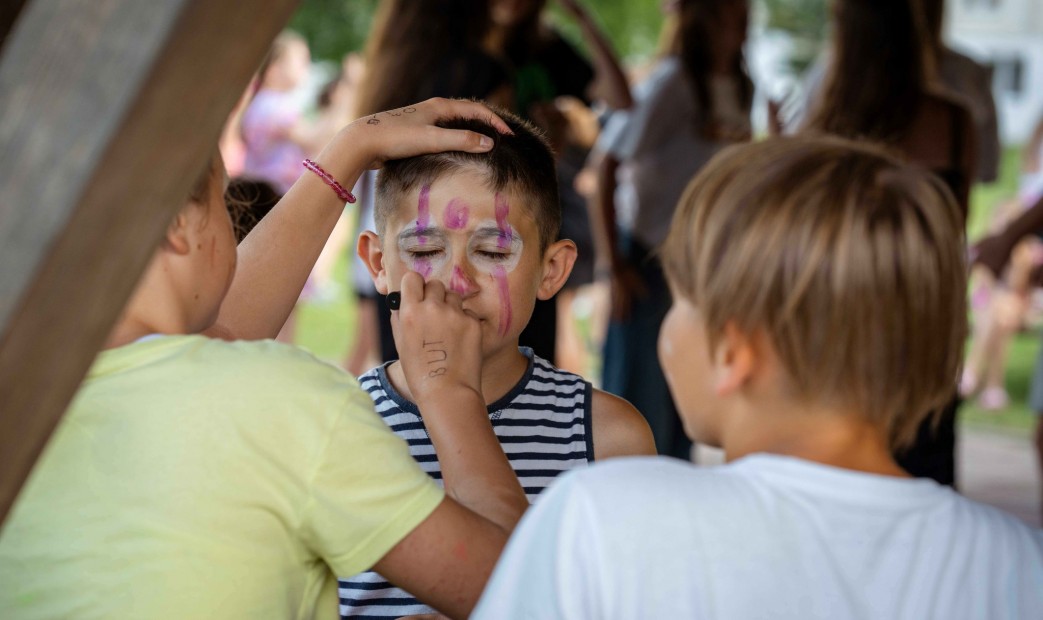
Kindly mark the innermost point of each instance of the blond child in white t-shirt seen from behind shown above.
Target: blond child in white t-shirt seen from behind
(819, 315)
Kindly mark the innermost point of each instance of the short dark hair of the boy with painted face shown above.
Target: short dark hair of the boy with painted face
(522, 163)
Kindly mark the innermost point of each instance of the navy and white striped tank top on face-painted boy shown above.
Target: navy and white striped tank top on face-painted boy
(544, 426)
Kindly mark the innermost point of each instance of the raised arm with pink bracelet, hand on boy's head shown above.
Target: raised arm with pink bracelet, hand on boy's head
(277, 257)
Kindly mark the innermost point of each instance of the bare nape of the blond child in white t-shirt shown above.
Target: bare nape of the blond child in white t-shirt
(836, 439)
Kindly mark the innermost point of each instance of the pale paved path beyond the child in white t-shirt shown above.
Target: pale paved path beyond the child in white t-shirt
(993, 468)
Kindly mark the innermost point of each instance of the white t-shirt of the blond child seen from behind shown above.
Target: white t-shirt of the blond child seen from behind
(766, 537)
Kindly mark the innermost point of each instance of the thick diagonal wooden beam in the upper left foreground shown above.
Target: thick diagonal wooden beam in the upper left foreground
(108, 112)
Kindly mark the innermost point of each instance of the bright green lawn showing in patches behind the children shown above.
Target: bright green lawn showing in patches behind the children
(328, 329)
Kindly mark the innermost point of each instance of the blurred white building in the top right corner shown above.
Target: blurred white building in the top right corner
(1007, 35)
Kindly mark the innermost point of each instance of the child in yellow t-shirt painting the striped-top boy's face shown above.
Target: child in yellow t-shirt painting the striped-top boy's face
(193, 478)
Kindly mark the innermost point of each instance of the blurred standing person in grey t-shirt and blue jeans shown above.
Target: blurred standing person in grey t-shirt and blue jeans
(696, 102)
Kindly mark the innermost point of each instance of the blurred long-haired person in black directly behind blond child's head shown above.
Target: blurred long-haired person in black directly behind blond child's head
(882, 87)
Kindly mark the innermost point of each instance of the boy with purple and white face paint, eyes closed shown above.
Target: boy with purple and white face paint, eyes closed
(488, 228)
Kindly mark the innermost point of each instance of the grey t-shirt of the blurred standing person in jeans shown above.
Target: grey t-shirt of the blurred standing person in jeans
(660, 149)
